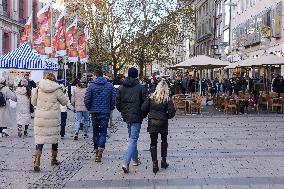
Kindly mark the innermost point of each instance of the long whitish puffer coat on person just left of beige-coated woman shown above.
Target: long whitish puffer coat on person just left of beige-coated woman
(23, 114)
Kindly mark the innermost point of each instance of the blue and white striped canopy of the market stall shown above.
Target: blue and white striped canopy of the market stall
(25, 58)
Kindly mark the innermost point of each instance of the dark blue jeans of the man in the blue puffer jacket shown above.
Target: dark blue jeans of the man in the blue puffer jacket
(100, 125)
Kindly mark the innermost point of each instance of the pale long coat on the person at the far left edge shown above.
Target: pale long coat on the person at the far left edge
(6, 119)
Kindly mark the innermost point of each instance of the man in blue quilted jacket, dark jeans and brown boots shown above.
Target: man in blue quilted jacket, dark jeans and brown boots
(100, 100)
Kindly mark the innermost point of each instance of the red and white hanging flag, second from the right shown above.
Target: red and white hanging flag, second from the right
(72, 41)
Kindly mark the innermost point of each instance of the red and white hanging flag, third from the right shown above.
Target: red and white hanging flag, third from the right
(59, 39)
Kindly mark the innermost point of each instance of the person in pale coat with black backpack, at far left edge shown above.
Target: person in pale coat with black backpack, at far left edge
(5, 110)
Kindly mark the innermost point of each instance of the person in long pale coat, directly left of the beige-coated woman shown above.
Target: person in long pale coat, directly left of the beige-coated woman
(23, 114)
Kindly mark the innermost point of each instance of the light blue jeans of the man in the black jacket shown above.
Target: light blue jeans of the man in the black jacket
(132, 151)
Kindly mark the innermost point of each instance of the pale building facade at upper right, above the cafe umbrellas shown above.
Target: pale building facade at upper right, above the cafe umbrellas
(257, 28)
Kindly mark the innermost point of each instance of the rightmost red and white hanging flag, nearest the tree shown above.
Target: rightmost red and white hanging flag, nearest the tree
(82, 46)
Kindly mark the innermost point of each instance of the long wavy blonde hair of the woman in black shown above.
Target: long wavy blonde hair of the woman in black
(161, 93)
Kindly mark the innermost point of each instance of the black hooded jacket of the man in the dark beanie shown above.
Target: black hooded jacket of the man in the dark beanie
(130, 96)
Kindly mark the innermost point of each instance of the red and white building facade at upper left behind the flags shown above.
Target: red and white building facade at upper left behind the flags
(13, 16)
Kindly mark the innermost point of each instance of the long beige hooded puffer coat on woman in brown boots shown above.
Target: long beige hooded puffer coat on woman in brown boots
(47, 99)
